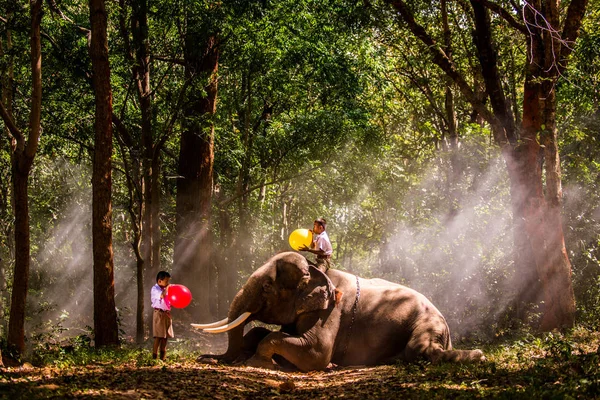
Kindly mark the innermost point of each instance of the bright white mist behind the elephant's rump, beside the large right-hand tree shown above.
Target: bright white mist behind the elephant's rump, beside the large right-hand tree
(460, 260)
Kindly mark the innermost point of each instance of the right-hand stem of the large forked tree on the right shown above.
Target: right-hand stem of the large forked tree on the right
(543, 221)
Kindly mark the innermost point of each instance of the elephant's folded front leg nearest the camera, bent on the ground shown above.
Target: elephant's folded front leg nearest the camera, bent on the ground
(300, 351)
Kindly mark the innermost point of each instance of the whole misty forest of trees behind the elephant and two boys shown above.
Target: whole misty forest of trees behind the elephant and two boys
(448, 149)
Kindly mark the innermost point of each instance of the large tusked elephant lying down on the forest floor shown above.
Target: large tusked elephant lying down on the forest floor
(331, 318)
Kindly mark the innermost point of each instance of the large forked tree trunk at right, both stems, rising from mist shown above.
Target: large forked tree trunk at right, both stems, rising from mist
(541, 251)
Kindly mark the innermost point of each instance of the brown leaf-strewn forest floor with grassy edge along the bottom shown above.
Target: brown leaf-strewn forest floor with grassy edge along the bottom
(540, 368)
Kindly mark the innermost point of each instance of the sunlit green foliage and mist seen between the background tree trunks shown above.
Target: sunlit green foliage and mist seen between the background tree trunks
(325, 109)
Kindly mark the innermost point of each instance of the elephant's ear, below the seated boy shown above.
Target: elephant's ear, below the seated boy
(316, 293)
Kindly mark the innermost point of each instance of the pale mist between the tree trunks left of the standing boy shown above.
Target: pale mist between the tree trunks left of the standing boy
(61, 296)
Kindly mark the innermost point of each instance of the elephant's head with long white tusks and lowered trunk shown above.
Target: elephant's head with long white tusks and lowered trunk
(283, 289)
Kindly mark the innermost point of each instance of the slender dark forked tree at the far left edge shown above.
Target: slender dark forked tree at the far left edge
(23, 154)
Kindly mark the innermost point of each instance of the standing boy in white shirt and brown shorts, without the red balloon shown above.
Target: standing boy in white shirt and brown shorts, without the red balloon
(162, 324)
